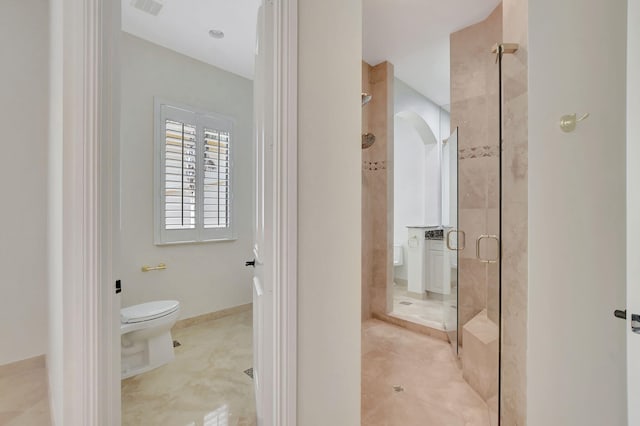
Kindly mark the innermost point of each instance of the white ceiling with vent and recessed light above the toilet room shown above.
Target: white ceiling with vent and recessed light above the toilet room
(183, 26)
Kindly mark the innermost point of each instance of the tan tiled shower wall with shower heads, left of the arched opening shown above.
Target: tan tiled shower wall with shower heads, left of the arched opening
(377, 191)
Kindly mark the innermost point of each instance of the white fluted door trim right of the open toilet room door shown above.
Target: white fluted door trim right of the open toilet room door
(286, 213)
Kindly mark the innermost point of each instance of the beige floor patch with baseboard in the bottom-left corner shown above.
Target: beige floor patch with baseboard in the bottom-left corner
(24, 398)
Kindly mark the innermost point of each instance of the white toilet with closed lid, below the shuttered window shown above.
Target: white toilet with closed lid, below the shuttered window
(145, 332)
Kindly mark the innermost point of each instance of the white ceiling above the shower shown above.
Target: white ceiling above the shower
(414, 36)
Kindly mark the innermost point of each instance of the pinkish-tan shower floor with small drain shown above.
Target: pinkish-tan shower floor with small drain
(430, 389)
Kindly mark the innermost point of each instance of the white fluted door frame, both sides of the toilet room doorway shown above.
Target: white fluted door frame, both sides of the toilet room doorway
(91, 131)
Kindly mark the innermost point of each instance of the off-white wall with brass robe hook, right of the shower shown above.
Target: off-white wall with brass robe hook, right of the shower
(576, 349)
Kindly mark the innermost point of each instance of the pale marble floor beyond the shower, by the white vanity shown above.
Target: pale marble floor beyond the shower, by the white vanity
(429, 312)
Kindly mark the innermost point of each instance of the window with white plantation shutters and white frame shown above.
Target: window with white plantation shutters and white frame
(193, 179)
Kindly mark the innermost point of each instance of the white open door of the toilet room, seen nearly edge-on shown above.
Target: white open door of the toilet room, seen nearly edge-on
(263, 228)
